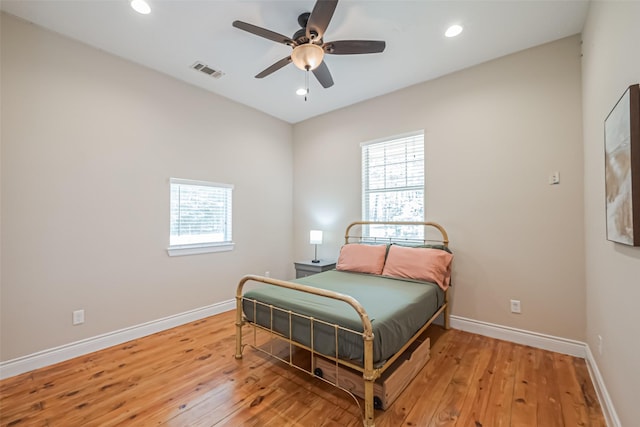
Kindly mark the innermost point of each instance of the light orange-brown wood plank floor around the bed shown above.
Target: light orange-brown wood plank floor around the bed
(188, 376)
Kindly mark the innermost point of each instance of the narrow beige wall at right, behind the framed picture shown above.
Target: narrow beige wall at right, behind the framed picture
(610, 64)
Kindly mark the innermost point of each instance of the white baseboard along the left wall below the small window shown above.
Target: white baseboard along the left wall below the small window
(51, 356)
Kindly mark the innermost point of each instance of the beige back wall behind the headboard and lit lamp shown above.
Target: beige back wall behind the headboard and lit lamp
(493, 133)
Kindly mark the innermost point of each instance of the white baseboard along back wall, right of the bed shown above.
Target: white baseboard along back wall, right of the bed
(520, 336)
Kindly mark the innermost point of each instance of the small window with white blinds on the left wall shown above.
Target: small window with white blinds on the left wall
(200, 217)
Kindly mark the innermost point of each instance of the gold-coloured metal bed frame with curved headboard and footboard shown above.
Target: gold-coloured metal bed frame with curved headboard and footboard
(369, 373)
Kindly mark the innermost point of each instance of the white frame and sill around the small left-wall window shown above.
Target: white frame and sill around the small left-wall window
(203, 247)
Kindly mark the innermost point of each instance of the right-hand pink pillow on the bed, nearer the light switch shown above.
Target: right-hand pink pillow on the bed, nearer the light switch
(426, 264)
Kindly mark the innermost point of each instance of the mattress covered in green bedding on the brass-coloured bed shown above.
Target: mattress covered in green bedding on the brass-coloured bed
(397, 309)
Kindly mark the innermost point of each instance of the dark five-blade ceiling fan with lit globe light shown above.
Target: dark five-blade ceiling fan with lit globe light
(308, 45)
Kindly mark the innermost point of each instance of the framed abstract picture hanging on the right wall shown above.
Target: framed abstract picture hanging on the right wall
(622, 169)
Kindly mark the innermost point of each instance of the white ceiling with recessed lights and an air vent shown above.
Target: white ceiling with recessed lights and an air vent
(178, 33)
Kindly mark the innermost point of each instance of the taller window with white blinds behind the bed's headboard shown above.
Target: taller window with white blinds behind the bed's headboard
(393, 182)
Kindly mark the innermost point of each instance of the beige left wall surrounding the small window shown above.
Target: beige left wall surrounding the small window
(89, 142)
